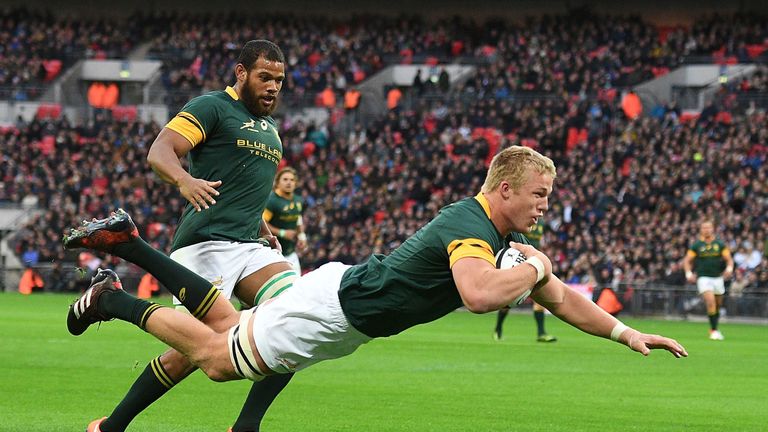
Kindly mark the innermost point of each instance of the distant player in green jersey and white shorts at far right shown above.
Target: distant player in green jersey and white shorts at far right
(707, 262)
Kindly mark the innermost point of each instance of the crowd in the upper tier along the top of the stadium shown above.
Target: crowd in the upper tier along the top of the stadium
(573, 53)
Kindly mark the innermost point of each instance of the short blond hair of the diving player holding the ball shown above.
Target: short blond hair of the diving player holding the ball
(511, 165)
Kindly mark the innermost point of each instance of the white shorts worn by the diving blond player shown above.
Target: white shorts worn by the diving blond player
(305, 324)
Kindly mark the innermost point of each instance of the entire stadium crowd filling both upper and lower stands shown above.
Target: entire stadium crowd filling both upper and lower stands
(629, 191)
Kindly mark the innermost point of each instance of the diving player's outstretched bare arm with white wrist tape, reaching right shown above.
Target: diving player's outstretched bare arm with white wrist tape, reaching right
(573, 308)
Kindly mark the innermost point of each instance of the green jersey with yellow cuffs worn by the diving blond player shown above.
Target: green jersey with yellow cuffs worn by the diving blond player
(414, 285)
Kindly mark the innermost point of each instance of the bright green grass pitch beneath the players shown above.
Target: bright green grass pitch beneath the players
(445, 376)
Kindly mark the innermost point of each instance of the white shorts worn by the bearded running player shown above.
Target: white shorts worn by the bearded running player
(225, 263)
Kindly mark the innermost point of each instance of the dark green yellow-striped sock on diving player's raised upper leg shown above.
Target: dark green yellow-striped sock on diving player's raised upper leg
(194, 292)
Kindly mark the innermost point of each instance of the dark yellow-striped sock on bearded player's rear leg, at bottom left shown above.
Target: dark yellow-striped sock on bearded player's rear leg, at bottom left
(150, 386)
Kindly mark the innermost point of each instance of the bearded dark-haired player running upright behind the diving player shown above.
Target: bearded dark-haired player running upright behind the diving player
(234, 149)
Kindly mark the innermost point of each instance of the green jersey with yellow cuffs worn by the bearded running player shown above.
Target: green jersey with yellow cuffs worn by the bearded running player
(232, 145)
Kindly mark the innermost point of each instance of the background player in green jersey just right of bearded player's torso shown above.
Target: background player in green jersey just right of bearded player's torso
(283, 216)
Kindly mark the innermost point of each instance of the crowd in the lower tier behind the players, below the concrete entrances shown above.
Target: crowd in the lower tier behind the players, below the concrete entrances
(626, 205)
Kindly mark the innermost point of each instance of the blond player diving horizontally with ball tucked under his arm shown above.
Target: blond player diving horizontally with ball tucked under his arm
(334, 309)
